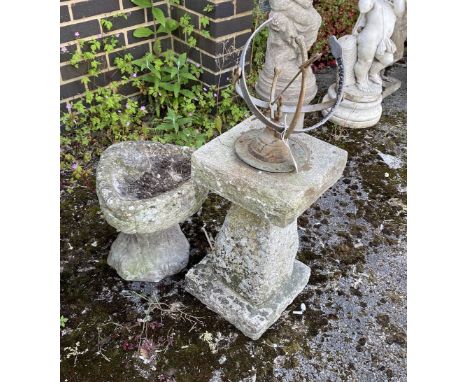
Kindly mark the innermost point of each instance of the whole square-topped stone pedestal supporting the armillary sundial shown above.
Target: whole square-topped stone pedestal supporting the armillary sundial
(251, 276)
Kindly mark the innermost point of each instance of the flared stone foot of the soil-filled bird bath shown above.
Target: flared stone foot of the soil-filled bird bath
(150, 256)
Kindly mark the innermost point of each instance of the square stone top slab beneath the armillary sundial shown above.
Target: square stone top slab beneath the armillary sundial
(277, 197)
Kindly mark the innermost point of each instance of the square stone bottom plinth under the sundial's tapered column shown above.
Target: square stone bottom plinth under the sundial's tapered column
(252, 320)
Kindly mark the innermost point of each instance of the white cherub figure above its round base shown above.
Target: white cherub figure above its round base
(375, 49)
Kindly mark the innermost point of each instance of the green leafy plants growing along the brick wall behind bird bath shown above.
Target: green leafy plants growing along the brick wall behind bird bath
(178, 108)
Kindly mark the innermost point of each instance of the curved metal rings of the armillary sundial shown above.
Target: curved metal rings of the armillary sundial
(243, 91)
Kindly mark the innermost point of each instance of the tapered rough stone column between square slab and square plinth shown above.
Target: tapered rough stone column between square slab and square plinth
(254, 257)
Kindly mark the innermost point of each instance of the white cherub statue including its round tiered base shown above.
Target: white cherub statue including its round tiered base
(366, 53)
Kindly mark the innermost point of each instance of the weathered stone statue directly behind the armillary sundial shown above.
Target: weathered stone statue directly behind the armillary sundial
(293, 30)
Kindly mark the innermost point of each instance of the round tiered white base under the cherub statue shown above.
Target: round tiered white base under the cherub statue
(358, 109)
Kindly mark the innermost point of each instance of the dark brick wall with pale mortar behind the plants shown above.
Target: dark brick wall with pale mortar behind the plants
(230, 26)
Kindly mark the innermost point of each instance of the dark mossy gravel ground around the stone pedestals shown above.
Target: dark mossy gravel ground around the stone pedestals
(354, 326)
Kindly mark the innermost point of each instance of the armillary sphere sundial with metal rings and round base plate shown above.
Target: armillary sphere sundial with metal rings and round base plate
(272, 148)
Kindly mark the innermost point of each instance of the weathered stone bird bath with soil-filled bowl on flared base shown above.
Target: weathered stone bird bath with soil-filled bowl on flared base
(145, 190)
